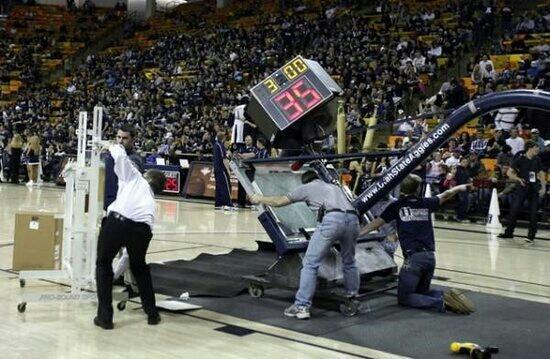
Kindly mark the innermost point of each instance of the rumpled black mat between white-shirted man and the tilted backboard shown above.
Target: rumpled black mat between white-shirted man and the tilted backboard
(210, 275)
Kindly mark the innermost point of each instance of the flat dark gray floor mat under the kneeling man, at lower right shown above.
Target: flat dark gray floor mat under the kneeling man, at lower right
(519, 328)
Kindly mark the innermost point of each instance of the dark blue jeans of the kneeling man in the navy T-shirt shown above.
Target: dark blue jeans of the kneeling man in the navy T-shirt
(413, 289)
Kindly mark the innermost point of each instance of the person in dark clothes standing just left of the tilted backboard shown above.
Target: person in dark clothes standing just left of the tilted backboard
(221, 174)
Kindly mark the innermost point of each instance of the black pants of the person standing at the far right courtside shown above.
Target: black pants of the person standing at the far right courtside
(522, 193)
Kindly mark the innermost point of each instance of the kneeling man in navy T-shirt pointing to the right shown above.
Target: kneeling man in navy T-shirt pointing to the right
(416, 236)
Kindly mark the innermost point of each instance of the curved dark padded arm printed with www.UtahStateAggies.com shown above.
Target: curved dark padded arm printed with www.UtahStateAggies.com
(426, 146)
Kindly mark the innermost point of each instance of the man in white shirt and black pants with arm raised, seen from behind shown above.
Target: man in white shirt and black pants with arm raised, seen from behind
(128, 224)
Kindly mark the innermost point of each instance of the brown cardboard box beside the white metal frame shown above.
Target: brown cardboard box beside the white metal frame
(37, 240)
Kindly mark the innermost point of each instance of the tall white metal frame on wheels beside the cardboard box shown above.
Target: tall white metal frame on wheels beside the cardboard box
(80, 228)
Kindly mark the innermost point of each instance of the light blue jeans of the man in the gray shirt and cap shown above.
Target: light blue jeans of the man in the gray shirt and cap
(336, 227)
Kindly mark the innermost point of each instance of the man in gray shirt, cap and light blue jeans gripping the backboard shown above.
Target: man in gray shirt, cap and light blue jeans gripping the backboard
(340, 224)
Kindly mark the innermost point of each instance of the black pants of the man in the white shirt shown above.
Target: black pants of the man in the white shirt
(135, 236)
